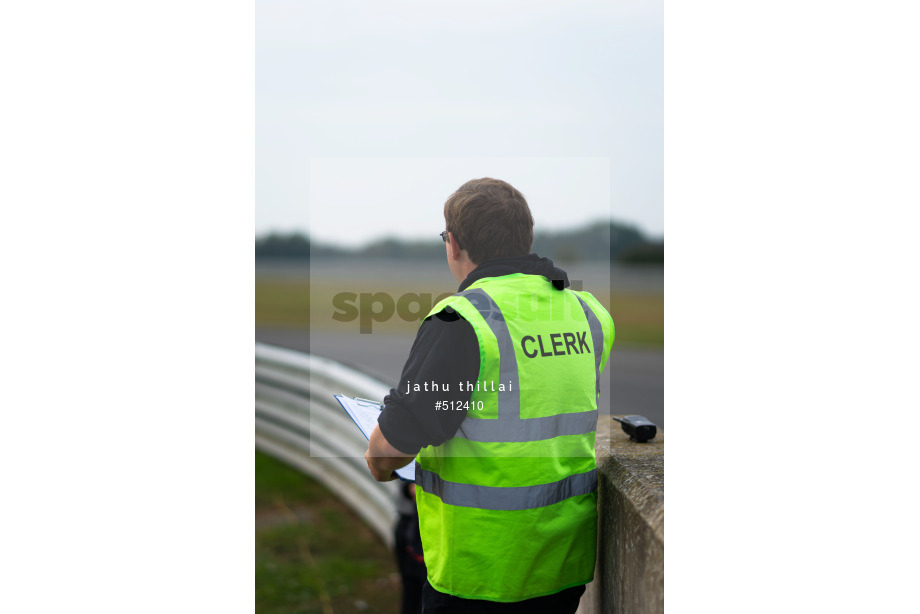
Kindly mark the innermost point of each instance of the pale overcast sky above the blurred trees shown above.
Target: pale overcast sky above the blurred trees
(368, 115)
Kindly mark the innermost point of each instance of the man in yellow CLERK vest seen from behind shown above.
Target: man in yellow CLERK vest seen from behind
(498, 402)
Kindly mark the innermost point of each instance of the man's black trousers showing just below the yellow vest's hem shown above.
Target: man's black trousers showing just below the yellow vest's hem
(563, 602)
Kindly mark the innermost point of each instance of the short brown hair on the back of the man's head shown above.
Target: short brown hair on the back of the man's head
(489, 219)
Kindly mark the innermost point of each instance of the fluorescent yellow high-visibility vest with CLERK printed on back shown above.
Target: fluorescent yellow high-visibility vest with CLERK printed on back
(507, 507)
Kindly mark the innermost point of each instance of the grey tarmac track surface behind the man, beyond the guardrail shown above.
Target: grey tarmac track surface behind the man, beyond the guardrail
(633, 382)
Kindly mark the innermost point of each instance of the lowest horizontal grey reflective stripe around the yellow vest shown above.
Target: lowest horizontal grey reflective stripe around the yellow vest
(505, 497)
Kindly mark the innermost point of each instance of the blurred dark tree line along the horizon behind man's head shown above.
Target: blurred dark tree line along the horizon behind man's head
(598, 241)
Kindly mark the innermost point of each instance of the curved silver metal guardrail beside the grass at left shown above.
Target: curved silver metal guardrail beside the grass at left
(298, 422)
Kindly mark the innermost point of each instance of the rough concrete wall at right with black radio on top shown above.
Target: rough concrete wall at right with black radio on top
(630, 562)
